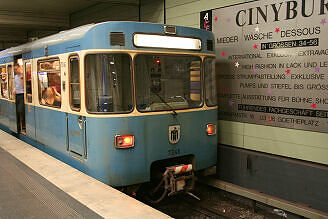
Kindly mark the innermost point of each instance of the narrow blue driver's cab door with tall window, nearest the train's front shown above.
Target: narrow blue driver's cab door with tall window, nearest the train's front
(76, 123)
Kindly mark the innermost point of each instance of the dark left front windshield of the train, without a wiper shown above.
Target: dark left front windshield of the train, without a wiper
(108, 83)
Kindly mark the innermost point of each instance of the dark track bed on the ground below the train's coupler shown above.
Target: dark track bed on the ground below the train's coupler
(213, 204)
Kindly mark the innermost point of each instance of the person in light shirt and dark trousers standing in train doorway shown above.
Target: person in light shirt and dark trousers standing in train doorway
(19, 92)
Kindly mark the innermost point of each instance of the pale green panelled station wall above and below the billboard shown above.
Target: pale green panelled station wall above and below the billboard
(303, 145)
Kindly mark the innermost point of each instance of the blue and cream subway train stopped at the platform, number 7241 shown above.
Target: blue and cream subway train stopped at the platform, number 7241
(118, 100)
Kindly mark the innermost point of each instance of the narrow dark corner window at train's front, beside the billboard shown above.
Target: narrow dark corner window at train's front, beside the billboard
(210, 82)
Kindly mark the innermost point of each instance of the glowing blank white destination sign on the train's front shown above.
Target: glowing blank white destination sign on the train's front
(169, 42)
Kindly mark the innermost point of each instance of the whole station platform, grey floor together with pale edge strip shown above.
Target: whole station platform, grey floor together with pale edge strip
(36, 185)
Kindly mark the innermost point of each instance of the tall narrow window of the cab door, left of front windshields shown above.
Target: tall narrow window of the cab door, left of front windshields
(74, 77)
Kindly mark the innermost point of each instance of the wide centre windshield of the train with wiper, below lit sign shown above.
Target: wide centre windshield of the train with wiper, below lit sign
(167, 82)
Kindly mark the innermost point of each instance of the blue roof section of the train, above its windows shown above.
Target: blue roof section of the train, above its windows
(96, 36)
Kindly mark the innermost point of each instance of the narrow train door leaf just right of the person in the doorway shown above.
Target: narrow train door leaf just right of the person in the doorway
(29, 108)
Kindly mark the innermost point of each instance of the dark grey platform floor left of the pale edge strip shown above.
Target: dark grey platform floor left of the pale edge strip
(26, 194)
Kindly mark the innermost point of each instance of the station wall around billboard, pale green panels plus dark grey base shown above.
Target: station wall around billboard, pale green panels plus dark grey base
(286, 163)
